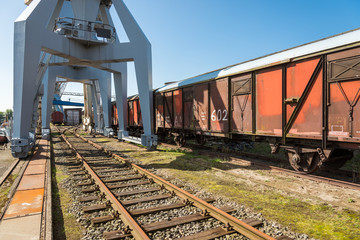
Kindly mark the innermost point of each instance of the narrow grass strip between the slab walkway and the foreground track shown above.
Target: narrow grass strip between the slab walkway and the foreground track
(65, 225)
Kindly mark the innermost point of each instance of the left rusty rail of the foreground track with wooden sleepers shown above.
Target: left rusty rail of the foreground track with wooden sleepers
(136, 230)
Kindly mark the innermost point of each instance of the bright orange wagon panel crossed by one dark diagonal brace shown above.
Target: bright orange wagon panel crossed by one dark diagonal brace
(303, 99)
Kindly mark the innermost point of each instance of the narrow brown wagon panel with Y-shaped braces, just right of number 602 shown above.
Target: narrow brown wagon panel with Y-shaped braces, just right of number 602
(241, 104)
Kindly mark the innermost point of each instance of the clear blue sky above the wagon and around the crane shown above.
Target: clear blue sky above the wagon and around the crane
(192, 37)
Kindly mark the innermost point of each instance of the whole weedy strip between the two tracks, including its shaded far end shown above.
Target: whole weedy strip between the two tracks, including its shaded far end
(318, 221)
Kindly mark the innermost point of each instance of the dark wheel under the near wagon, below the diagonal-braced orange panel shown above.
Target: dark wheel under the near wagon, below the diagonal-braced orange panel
(305, 163)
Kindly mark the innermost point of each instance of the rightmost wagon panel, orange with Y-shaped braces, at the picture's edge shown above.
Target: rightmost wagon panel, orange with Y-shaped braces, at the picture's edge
(344, 94)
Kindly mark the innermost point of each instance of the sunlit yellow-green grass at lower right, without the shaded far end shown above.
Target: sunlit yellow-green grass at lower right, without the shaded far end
(318, 221)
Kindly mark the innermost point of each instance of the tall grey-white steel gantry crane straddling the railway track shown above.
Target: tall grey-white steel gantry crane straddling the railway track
(80, 46)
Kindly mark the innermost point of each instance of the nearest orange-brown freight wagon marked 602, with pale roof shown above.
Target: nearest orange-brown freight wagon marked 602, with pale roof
(304, 99)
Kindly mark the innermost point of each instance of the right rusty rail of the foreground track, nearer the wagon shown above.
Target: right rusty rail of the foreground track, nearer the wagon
(231, 223)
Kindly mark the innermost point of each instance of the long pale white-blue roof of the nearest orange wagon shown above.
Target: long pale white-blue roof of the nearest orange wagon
(340, 40)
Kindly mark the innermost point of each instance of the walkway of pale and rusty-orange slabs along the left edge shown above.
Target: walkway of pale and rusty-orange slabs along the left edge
(22, 219)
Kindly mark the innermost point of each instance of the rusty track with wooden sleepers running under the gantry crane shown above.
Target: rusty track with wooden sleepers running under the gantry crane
(112, 182)
